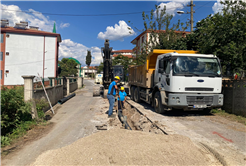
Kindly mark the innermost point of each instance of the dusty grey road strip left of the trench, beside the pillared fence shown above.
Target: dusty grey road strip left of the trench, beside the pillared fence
(73, 121)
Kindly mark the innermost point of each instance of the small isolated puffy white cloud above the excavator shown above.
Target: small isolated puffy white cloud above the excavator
(118, 32)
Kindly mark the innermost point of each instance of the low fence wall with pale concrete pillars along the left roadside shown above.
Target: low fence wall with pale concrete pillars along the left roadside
(59, 87)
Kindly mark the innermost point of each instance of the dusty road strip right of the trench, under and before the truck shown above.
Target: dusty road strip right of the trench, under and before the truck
(226, 137)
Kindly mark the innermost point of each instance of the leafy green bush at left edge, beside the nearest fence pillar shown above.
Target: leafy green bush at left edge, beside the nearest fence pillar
(13, 109)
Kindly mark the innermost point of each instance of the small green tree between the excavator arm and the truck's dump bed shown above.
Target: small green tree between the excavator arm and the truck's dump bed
(124, 61)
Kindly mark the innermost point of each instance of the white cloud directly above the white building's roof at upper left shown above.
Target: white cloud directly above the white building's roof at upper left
(35, 18)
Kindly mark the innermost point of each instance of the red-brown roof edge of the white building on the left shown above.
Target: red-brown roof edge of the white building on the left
(30, 32)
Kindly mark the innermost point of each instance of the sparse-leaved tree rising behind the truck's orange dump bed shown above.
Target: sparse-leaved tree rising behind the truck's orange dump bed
(162, 34)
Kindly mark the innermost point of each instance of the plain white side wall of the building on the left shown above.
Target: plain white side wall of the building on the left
(26, 57)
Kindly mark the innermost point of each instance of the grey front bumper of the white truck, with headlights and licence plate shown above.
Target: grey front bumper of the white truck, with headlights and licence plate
(195, 101)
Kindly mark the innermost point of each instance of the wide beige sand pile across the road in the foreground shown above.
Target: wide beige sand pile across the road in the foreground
(125, 147)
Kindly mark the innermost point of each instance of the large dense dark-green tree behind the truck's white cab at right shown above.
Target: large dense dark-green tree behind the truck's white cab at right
(224, 34)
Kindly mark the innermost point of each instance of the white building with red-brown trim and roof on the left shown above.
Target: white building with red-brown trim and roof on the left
(26, 51)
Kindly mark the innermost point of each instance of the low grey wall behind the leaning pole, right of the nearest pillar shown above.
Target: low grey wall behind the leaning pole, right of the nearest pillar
(55, 93)
